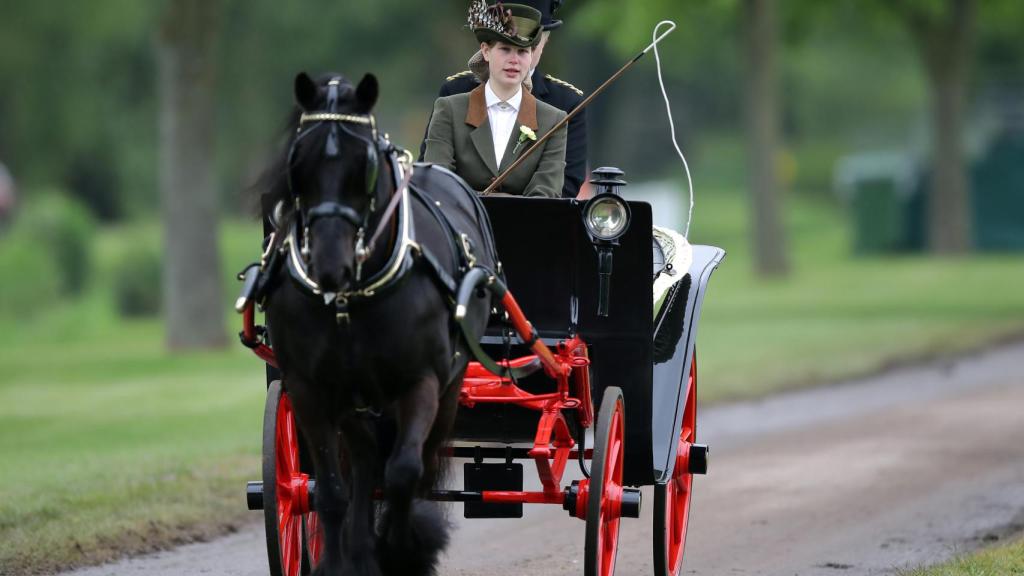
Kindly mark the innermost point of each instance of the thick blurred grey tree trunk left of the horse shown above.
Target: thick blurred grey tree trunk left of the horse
(193, 295)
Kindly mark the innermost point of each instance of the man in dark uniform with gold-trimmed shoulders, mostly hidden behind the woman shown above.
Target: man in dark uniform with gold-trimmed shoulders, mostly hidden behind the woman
(557, 93)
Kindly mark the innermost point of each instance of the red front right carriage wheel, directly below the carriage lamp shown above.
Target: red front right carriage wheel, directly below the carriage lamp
(606, 487)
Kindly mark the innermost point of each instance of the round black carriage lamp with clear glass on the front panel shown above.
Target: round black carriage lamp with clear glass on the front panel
(607, 218)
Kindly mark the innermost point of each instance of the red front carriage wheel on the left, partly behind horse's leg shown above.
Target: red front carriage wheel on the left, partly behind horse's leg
(285, 496)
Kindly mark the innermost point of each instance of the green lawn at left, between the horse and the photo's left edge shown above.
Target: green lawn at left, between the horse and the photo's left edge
(110, 444)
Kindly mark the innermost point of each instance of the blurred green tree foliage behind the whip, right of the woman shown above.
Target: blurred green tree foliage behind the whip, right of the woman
(701, 66)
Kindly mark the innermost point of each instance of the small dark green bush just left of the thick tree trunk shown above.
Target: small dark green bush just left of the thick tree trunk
(138, 282)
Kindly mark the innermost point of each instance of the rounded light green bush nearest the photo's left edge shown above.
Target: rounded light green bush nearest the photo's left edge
(64, 231)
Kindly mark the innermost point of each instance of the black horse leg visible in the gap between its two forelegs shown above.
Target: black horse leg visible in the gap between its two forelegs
(360, 542)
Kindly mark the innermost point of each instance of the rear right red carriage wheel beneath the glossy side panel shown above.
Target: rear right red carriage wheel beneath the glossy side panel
(672, 500)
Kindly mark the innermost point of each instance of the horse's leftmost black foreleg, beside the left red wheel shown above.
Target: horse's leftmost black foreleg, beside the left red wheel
(324, 443)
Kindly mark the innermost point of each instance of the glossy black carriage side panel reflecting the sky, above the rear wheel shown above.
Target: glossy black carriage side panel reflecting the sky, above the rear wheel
(673, 367)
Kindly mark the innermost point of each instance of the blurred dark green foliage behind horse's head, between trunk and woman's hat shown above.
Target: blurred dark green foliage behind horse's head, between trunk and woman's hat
(267, 44)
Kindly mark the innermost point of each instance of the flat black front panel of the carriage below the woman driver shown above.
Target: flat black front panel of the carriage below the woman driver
(551, 269)
